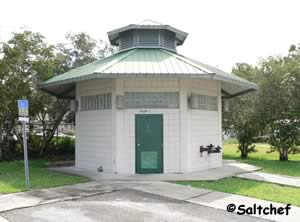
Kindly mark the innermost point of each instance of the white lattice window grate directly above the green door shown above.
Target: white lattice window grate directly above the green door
(136, 100)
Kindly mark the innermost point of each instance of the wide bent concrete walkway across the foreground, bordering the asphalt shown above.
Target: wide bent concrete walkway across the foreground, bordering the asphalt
(201, 197)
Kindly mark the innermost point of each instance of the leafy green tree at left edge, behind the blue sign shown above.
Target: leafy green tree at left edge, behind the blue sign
(23, 56)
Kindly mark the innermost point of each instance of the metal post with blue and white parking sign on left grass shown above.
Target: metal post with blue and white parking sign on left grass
(23, 117)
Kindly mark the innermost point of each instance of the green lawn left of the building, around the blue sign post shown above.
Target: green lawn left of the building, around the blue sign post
(12, 176)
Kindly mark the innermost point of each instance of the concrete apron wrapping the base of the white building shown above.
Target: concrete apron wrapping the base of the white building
(230, 168)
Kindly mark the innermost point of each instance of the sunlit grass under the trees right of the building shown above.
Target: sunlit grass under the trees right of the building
(267, 161)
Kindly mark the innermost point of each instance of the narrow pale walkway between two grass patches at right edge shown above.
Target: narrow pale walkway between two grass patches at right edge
(272, 178)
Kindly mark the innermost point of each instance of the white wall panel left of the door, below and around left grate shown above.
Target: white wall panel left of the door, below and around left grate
(94, 130)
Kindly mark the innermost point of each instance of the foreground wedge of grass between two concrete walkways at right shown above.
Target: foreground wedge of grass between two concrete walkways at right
(260, 190)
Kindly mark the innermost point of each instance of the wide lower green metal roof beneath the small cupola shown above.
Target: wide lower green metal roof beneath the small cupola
(148, 63)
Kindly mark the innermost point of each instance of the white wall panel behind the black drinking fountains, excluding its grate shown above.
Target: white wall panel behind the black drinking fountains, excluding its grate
(205, 128)
